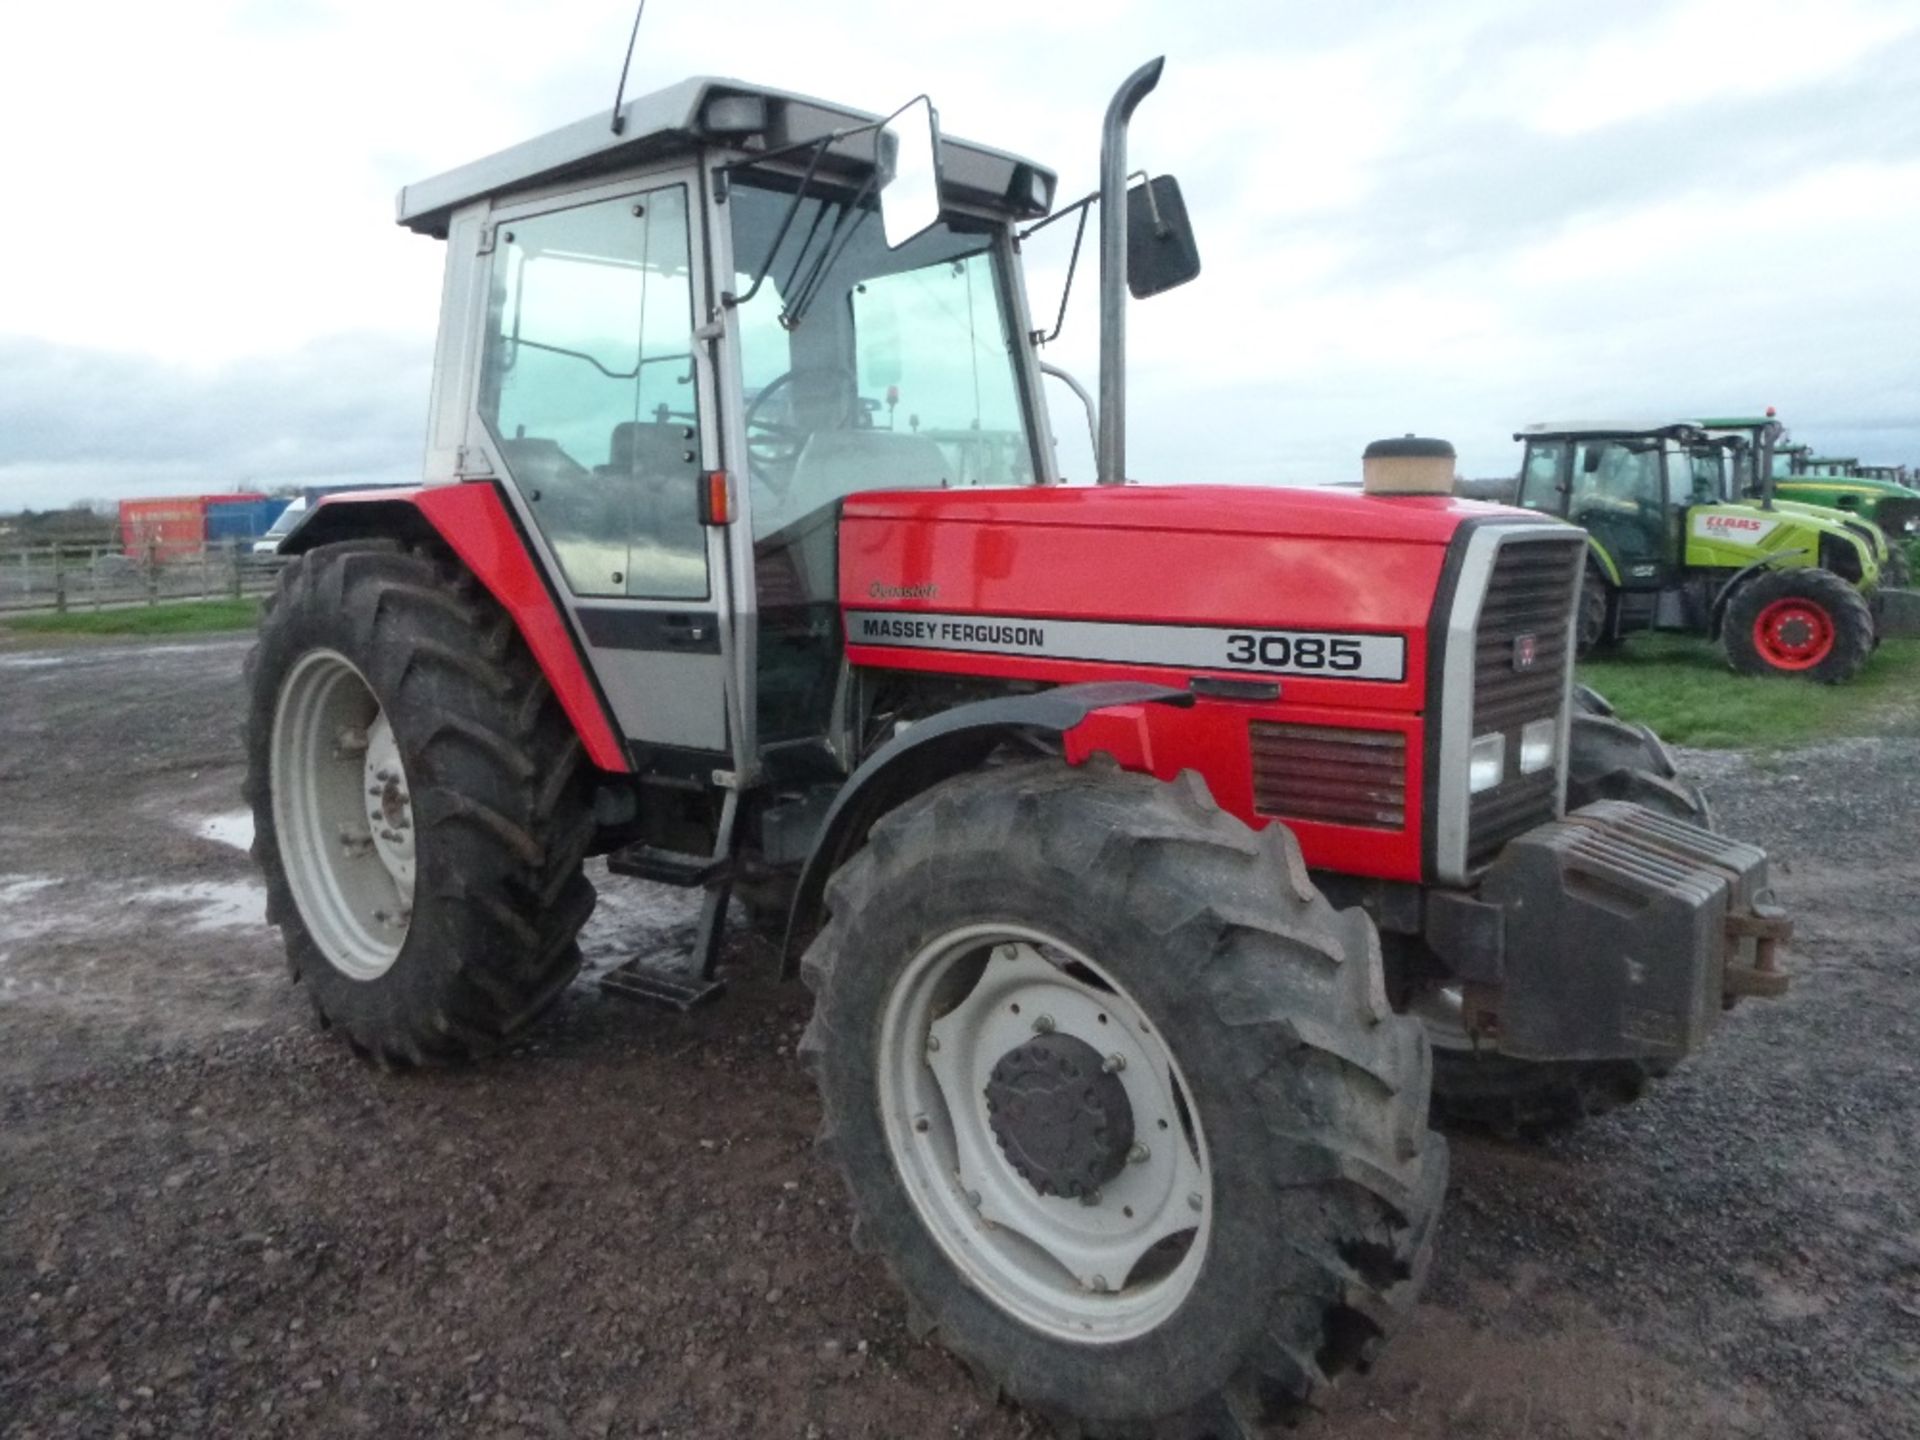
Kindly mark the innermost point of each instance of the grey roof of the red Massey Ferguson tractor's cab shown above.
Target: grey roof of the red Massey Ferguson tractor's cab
(713, 112)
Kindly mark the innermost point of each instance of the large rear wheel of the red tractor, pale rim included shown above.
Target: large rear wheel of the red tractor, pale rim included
(420, 805)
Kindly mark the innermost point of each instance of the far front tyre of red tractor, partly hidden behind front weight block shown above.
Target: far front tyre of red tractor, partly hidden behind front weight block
(1608, 759)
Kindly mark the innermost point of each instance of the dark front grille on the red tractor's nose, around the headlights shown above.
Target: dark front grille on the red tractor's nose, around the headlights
(1527, 610)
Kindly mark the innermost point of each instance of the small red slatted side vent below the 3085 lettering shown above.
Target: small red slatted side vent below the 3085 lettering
(1335, 777)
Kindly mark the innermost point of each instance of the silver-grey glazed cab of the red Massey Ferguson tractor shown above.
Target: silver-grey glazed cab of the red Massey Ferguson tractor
(681, 341)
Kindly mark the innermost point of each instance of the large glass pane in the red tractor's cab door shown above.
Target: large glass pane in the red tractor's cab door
(590, 391)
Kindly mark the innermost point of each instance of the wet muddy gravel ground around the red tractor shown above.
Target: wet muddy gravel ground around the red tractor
(214, 1220)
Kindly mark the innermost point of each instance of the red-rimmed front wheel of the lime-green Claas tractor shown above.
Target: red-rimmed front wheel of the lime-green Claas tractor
(1800, 623)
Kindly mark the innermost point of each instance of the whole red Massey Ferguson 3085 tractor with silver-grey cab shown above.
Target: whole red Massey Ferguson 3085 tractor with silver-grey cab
(744, 562)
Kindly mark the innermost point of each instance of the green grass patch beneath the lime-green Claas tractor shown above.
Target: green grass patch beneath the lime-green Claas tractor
(1683, 688)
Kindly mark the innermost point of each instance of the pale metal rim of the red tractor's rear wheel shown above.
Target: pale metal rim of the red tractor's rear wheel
(345, 815)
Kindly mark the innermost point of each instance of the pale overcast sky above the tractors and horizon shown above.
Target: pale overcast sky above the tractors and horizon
(1449, 218)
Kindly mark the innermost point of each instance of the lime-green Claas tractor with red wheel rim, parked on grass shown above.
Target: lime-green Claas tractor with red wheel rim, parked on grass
(1787, 592)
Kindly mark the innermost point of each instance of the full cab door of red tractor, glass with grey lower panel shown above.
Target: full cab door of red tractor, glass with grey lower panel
(598, 402)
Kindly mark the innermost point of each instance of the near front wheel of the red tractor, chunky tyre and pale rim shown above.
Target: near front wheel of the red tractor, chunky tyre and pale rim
(1120, 1099)
